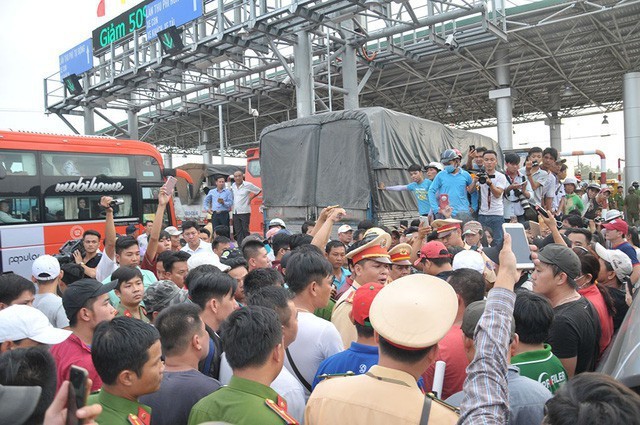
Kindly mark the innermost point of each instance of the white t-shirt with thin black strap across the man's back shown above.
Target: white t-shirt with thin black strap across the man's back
(317, 339)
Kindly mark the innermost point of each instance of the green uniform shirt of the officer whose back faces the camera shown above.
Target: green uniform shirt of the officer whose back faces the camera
(242, 402)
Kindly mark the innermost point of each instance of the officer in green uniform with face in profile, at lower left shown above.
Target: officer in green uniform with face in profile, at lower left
(127, 355)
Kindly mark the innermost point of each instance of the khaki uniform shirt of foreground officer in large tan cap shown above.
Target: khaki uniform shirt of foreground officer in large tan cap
(390, 397)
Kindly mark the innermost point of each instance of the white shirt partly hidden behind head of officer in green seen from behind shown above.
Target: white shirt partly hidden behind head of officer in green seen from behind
(285, 384)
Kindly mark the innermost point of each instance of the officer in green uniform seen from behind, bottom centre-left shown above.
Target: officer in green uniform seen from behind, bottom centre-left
(248, 399)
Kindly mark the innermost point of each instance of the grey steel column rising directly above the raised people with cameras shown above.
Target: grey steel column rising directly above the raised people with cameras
(504, 103)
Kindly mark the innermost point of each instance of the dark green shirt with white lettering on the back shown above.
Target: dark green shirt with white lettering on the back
(542, 366)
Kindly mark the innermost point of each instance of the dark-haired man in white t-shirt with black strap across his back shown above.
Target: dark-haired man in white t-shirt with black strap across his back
(309, 276)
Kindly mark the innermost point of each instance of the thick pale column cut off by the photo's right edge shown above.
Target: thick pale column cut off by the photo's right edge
(631, 100)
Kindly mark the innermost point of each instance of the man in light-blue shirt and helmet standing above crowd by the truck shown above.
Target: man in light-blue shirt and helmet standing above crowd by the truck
(454, 182)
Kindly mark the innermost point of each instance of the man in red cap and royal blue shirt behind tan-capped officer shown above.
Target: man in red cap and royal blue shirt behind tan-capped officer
(363, 353)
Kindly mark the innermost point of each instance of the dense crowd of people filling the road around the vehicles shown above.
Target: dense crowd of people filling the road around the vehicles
(428, 321)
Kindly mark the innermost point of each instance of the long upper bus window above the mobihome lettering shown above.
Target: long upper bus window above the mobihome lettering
(59, 164)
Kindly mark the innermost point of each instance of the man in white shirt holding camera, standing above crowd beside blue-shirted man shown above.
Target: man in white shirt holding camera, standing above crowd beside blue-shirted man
(492, 187)
